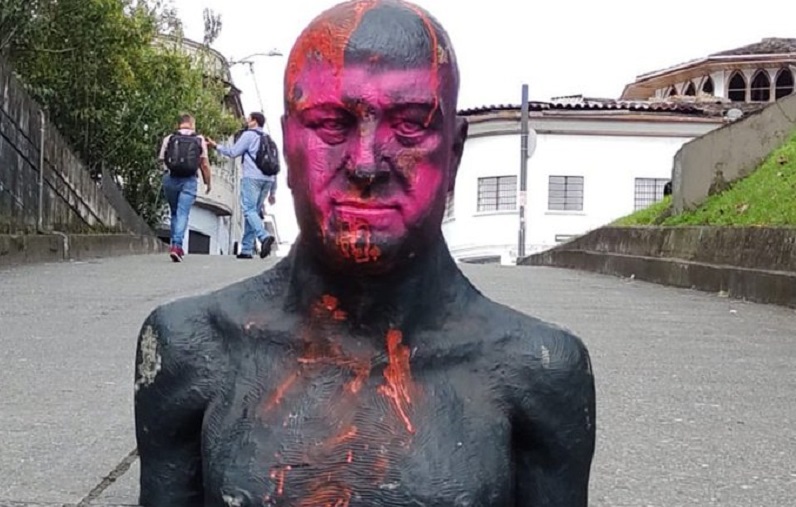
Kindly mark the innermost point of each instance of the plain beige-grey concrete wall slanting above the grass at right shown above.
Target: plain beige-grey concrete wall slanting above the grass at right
(729, 153)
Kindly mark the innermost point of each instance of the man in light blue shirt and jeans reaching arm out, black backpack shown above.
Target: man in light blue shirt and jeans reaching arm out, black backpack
(260, 167)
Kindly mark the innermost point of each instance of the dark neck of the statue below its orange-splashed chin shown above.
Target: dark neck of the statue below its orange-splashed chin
(413, 296)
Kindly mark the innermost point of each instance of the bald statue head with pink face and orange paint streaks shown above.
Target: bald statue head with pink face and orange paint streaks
(371, 136)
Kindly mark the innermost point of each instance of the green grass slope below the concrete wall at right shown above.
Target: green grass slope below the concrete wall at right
(767, 197)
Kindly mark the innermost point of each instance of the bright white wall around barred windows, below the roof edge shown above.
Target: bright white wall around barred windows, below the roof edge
(609, 165)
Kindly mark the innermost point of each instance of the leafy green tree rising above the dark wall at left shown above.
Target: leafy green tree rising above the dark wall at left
(113, 88)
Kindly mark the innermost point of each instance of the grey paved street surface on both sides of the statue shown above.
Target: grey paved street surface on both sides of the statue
(695, 392)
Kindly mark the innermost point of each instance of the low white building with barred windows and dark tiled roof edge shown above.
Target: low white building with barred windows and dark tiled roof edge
(594, 161)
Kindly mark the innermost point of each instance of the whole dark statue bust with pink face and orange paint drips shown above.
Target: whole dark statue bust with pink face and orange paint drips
(363, 369)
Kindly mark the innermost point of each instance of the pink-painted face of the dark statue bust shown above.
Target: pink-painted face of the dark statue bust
(369, 155)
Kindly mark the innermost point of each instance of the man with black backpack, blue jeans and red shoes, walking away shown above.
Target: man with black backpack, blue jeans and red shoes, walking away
(184, 154)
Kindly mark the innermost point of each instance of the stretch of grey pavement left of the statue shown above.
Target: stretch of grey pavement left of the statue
(68, 334)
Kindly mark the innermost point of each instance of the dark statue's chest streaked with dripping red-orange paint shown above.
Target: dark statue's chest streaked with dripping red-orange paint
(342, 433)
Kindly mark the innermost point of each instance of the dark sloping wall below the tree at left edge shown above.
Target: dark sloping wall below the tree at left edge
(72, 201)
